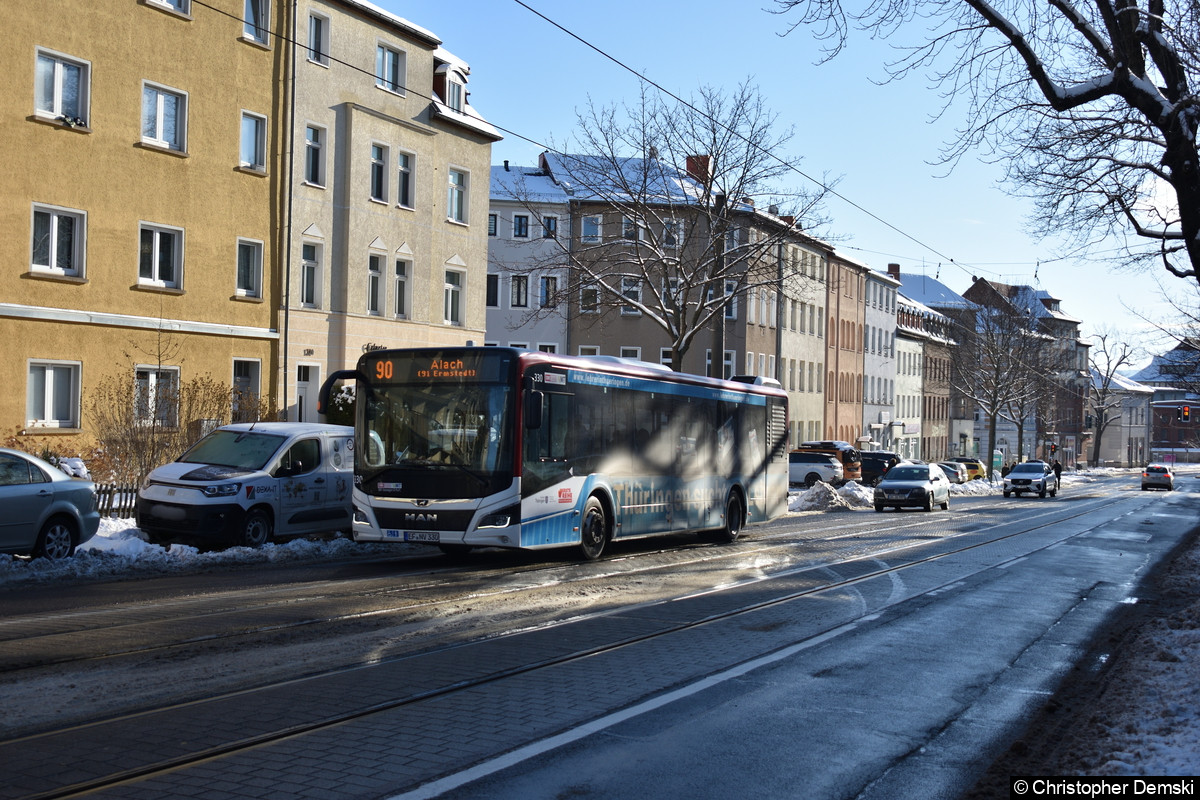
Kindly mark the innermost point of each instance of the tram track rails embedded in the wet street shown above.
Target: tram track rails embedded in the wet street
(980, 539)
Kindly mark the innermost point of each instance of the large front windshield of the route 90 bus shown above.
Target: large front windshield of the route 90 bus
(431, 430)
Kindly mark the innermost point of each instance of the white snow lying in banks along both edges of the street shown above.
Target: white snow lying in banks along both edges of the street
(1151, 719)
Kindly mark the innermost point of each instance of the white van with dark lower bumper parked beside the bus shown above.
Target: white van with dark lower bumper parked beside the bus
(253, 482)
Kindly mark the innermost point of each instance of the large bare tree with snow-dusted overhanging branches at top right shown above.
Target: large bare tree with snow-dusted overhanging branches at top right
(1093, 106)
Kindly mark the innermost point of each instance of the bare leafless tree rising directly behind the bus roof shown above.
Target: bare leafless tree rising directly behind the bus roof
(669, 201)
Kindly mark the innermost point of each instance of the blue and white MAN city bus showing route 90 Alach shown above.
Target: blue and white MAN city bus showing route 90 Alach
(484, 447)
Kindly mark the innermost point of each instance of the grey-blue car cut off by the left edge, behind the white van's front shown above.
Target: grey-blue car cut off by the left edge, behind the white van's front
(47, 514)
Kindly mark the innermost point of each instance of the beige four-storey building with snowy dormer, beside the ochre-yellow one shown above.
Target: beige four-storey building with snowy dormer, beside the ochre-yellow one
(389, 197)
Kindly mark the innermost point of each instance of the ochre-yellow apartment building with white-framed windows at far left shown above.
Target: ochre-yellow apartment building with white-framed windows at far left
(141, 194)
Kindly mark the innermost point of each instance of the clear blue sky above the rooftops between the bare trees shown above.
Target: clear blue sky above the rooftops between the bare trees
(530, 77)
